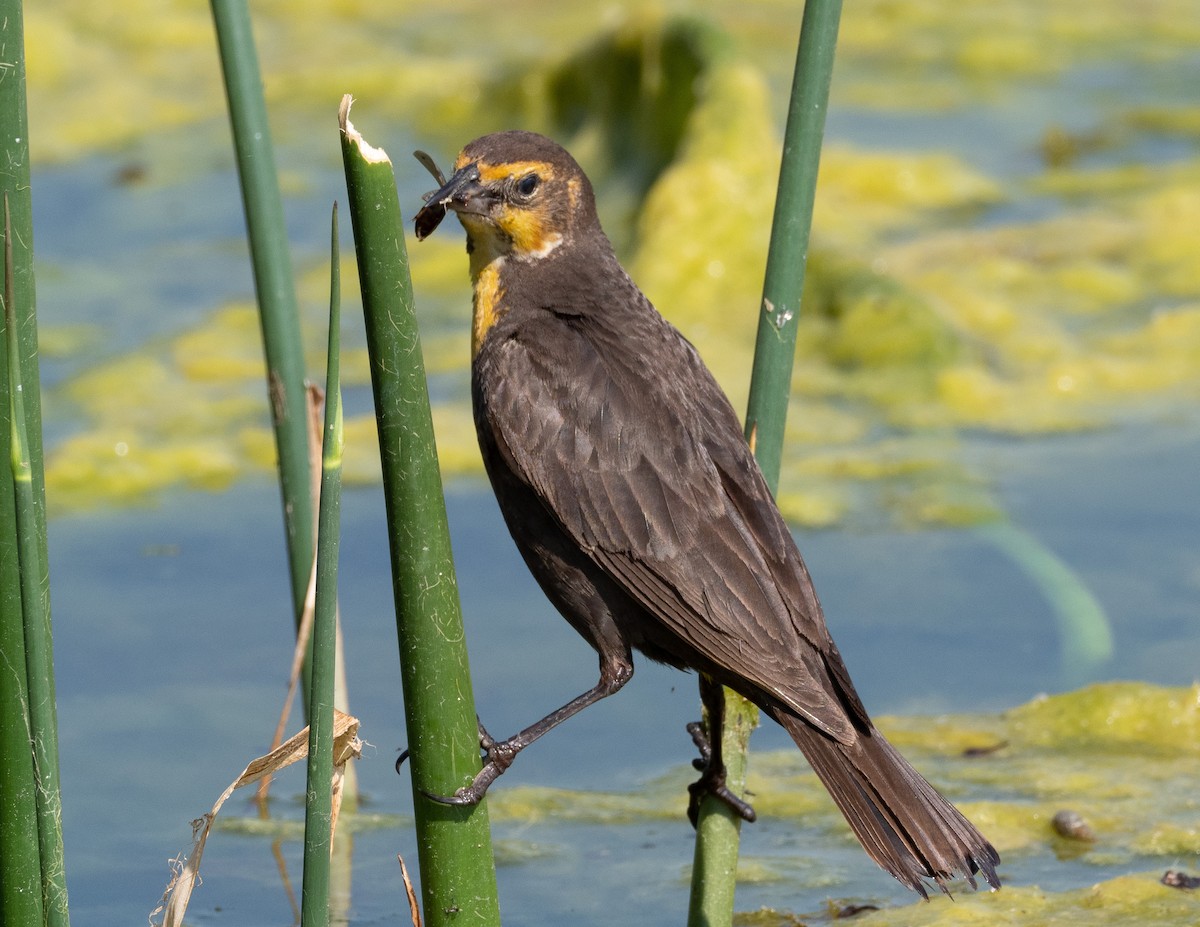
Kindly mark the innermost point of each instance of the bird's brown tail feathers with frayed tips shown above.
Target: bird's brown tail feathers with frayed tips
(903, 822)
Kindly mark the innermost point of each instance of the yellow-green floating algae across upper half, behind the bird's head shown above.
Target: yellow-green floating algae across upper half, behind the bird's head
(944, 302)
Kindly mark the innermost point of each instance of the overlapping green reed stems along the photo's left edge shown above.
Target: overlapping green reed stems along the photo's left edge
(26, 871)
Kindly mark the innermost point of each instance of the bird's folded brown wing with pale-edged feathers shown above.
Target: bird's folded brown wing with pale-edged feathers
(640, 458)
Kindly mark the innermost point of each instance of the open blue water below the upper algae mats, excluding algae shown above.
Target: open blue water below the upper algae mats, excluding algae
(172, 642)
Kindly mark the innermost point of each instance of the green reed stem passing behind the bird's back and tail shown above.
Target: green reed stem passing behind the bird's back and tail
(715, 869)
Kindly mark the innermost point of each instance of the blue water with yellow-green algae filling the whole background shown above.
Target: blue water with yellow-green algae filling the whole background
(991, 457)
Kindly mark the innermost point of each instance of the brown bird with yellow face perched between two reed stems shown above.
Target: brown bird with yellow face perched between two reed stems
(623, 475)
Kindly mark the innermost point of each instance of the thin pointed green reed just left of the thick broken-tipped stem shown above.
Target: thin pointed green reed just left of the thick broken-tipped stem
(319, 805)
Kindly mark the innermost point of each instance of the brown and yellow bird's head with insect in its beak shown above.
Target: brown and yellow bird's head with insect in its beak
(518, 194)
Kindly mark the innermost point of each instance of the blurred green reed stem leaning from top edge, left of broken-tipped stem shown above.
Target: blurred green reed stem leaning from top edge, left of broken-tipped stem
(274, 286)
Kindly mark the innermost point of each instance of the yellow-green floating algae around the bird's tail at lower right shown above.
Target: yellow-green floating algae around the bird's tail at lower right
(1012, 774)
